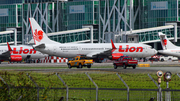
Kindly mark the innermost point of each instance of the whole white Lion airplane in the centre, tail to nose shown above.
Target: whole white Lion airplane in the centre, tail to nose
(90, 50)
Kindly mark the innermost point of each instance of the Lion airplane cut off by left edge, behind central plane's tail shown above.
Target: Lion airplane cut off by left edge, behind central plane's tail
(18, 53)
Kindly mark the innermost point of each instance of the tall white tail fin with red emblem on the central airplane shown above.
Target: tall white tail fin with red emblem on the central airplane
(38, 34)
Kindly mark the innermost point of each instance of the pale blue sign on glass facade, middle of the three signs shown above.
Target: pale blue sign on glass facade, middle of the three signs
(77, 9)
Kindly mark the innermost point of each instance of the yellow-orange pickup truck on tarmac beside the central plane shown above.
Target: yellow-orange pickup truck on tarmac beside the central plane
(79, 62)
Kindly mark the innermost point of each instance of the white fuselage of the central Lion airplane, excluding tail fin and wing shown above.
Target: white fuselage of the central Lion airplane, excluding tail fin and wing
(72, 50)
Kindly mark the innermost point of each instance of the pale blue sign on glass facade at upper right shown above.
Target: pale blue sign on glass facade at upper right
(163, 5)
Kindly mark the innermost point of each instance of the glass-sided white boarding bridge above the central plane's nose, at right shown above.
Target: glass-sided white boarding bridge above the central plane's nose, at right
(149, 35)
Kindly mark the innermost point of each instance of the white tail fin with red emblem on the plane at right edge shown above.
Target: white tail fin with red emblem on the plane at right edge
(165, 43)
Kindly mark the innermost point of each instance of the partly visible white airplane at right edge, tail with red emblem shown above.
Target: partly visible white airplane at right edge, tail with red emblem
(168, 47)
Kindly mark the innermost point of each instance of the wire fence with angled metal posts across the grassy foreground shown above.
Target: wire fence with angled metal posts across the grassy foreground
(85, 86)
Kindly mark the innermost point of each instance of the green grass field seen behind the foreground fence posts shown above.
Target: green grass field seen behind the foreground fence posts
(74, 80)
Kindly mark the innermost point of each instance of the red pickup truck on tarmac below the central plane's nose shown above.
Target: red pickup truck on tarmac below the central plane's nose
(125, 61)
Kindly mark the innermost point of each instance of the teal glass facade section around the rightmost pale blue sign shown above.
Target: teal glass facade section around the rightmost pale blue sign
(153, 14)
